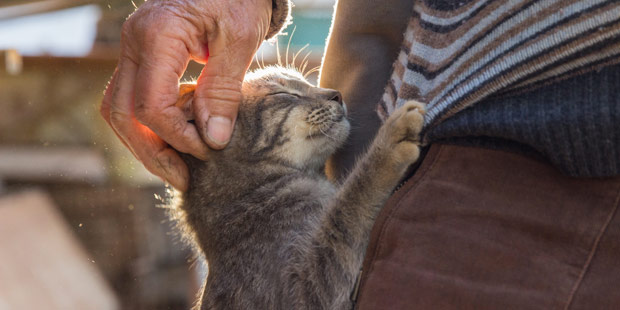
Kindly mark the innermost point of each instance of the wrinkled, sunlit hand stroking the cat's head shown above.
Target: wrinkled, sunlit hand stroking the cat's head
(157, 42)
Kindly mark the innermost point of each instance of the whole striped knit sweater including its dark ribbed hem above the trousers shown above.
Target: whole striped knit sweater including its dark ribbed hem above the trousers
(516, 72)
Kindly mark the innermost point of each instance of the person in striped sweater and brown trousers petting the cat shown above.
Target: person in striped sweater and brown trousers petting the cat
(514, 204)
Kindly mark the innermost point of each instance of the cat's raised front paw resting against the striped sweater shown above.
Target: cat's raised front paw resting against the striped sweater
(401, 132)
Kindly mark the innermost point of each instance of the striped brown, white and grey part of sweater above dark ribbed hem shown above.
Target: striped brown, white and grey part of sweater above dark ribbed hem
(456, 53)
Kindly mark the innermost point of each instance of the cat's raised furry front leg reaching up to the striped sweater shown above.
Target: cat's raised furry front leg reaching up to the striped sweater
(337, 251)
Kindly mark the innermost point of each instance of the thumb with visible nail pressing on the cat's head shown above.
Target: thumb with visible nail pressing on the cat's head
(218, 91)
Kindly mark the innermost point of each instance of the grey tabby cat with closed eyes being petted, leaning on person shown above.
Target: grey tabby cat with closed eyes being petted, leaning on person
(275, 232)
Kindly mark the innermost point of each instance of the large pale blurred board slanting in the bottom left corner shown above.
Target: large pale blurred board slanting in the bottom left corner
(43, 266)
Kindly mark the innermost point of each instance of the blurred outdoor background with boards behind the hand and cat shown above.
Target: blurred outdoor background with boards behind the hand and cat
(81, 221)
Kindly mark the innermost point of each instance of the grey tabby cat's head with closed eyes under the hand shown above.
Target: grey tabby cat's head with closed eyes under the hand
(283, 117)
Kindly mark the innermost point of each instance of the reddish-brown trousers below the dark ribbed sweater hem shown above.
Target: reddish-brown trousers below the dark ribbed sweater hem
(486, 229)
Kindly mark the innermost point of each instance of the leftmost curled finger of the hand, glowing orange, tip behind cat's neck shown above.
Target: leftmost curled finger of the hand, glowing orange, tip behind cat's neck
(153, 152)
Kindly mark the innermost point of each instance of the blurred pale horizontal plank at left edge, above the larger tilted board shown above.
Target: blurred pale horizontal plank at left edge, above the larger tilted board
(71, 164)
